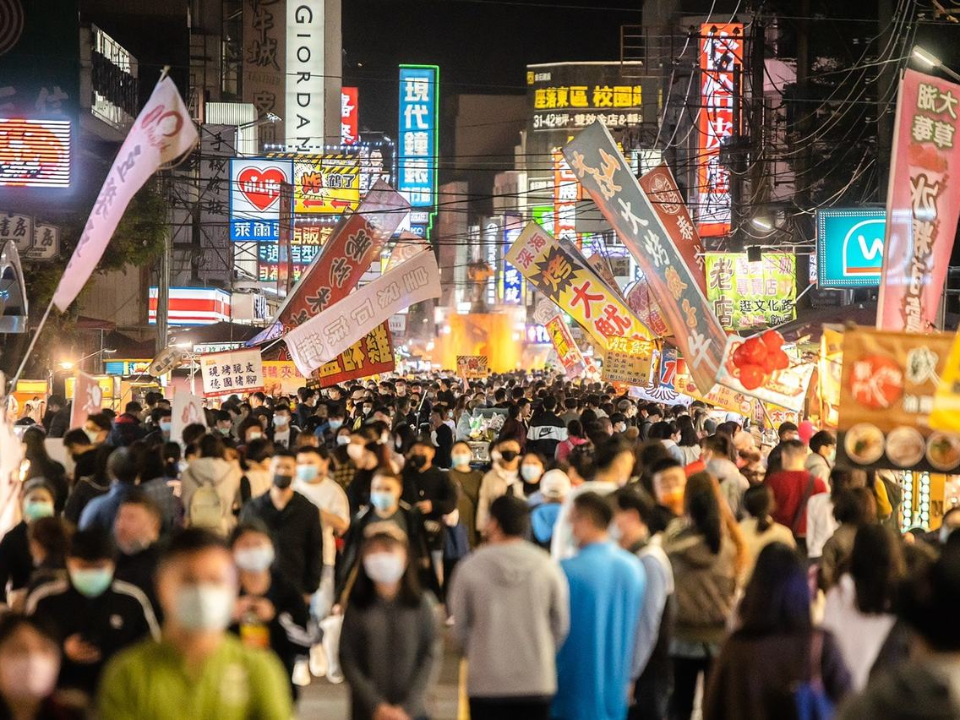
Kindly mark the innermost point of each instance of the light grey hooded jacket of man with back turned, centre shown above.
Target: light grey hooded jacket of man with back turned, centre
(511, 614)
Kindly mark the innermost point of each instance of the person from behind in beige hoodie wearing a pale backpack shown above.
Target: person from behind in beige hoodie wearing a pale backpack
(210, 488)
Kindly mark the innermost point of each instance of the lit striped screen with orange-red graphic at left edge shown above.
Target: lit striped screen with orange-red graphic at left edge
(35, 153)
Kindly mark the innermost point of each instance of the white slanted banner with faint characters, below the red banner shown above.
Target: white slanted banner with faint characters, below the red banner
(324, 336)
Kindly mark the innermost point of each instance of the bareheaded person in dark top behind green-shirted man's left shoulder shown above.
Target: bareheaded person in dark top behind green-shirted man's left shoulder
(136, 532)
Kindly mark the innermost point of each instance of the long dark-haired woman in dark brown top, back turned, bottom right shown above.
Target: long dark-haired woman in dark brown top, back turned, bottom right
(775, 647)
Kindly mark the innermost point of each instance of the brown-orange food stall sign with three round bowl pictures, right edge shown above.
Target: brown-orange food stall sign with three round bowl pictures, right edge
(887, 390)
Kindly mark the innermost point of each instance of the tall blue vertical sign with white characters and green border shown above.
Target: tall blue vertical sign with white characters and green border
(419, 92)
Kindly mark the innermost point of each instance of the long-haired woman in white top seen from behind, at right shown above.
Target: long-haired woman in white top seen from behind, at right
(859, 608)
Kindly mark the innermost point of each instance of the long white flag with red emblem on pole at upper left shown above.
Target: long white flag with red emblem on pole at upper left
(162, 133)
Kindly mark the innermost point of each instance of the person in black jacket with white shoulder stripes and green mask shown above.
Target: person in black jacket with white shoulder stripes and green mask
(95, 615)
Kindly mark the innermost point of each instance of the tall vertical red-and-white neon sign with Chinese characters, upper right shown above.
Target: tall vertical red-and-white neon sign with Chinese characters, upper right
(721, 59)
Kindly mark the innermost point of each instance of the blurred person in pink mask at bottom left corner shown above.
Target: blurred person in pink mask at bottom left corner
(29, 665)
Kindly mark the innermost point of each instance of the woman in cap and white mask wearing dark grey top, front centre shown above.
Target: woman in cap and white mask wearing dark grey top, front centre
(391, 644)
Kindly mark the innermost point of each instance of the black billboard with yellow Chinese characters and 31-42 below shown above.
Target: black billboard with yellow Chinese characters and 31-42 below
(571, 96)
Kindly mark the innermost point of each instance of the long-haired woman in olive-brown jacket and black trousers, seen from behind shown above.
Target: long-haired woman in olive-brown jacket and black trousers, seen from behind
(704, 550)
